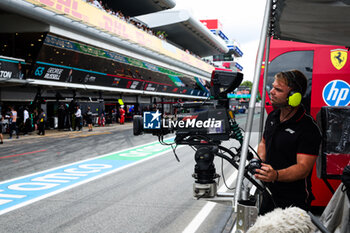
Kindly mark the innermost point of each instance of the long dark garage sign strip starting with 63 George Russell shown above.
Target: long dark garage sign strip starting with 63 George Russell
(52, 72)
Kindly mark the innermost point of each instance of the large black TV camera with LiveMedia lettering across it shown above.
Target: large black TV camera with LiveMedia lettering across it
(204, 128)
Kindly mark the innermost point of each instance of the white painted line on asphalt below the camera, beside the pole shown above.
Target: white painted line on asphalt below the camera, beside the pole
(205, 211)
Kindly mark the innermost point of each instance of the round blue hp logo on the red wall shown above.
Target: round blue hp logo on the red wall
(336, 93)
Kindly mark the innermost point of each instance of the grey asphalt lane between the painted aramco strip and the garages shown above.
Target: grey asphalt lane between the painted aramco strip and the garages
(34, 153)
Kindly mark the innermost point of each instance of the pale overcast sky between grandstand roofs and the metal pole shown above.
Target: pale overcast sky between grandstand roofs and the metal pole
(241, 20)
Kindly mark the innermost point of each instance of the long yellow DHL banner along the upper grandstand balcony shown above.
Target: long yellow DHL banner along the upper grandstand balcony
(92, 16)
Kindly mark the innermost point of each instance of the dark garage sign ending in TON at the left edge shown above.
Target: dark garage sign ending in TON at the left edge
(10, 69)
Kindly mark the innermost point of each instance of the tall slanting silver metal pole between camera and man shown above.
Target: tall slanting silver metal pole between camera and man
(252, 102)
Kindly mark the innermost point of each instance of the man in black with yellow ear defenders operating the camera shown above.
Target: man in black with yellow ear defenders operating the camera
(289, 146)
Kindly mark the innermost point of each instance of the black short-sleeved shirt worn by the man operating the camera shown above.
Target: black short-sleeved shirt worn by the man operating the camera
(284, 141)
